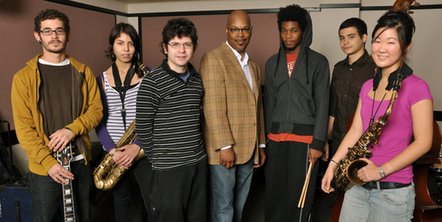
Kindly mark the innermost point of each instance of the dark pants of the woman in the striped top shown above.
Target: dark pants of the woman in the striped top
(122, 194)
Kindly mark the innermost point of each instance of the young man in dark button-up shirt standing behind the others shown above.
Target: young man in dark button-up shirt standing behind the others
(348, 77)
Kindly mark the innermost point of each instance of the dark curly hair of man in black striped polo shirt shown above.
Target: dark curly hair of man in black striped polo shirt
(179, 27)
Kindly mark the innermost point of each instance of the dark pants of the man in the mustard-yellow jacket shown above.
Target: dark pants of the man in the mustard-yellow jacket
(46, 194)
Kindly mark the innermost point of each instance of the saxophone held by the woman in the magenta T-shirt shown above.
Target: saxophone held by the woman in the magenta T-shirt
(346, 174)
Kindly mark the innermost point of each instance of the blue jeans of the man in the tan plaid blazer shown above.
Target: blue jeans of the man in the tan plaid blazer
(229, 189)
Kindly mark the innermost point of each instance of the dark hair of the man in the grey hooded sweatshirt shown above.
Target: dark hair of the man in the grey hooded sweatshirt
(293, 13)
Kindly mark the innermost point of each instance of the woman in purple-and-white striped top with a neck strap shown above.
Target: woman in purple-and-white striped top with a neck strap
(119, 87)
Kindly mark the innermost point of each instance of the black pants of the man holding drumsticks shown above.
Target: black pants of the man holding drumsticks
(285, 172)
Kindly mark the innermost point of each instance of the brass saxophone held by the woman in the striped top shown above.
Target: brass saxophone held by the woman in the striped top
(108, 173)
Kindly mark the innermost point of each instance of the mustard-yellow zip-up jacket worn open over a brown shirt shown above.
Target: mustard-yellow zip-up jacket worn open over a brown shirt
(28, 119)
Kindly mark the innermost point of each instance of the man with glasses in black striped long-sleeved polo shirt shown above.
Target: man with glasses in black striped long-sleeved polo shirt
(168, 127)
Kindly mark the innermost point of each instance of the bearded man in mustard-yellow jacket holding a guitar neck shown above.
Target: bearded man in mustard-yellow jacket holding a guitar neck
(55, 101)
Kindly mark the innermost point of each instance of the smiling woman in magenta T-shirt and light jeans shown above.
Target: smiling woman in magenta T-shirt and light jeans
(389, 192)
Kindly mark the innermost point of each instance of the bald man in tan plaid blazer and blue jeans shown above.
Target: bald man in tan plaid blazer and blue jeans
(234, 127)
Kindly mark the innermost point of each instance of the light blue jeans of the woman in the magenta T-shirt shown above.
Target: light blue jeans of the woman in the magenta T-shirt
(389, 205)
